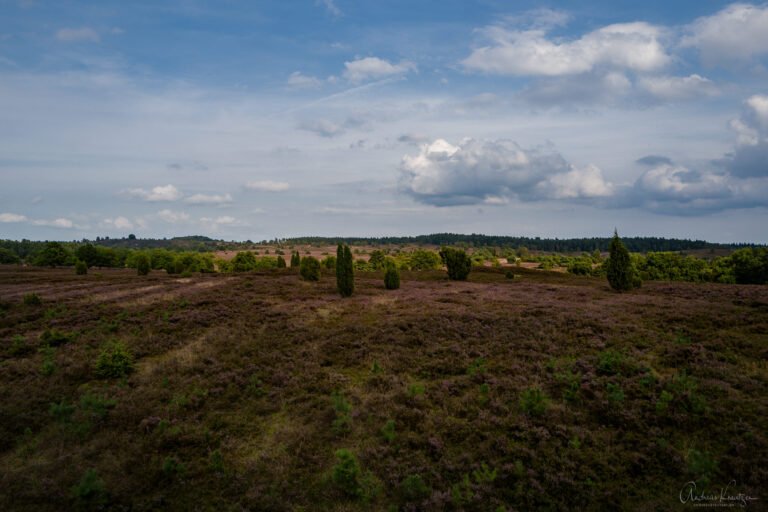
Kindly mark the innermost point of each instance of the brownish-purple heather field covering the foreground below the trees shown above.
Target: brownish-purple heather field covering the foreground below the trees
(548, 391)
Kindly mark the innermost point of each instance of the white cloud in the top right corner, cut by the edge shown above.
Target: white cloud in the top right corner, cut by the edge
(737, 33)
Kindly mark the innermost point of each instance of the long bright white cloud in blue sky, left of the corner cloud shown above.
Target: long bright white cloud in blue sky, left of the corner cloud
(633, 46)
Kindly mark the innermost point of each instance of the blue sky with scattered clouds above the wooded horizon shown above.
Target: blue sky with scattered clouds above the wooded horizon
(258, 120)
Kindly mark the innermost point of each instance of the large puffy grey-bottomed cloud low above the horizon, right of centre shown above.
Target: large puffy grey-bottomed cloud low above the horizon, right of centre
(491, 172)
